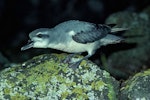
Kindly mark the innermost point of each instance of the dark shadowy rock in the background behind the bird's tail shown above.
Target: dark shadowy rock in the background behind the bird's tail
(135, 51)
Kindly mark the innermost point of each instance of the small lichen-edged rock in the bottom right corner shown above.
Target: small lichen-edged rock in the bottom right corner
(137, 87)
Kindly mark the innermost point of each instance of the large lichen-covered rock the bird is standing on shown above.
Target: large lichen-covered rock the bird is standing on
(46, 77)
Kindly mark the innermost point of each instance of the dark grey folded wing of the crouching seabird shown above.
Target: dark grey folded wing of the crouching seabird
(91, 35)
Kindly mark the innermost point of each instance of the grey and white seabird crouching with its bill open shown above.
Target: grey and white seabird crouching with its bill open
(74, 36)
